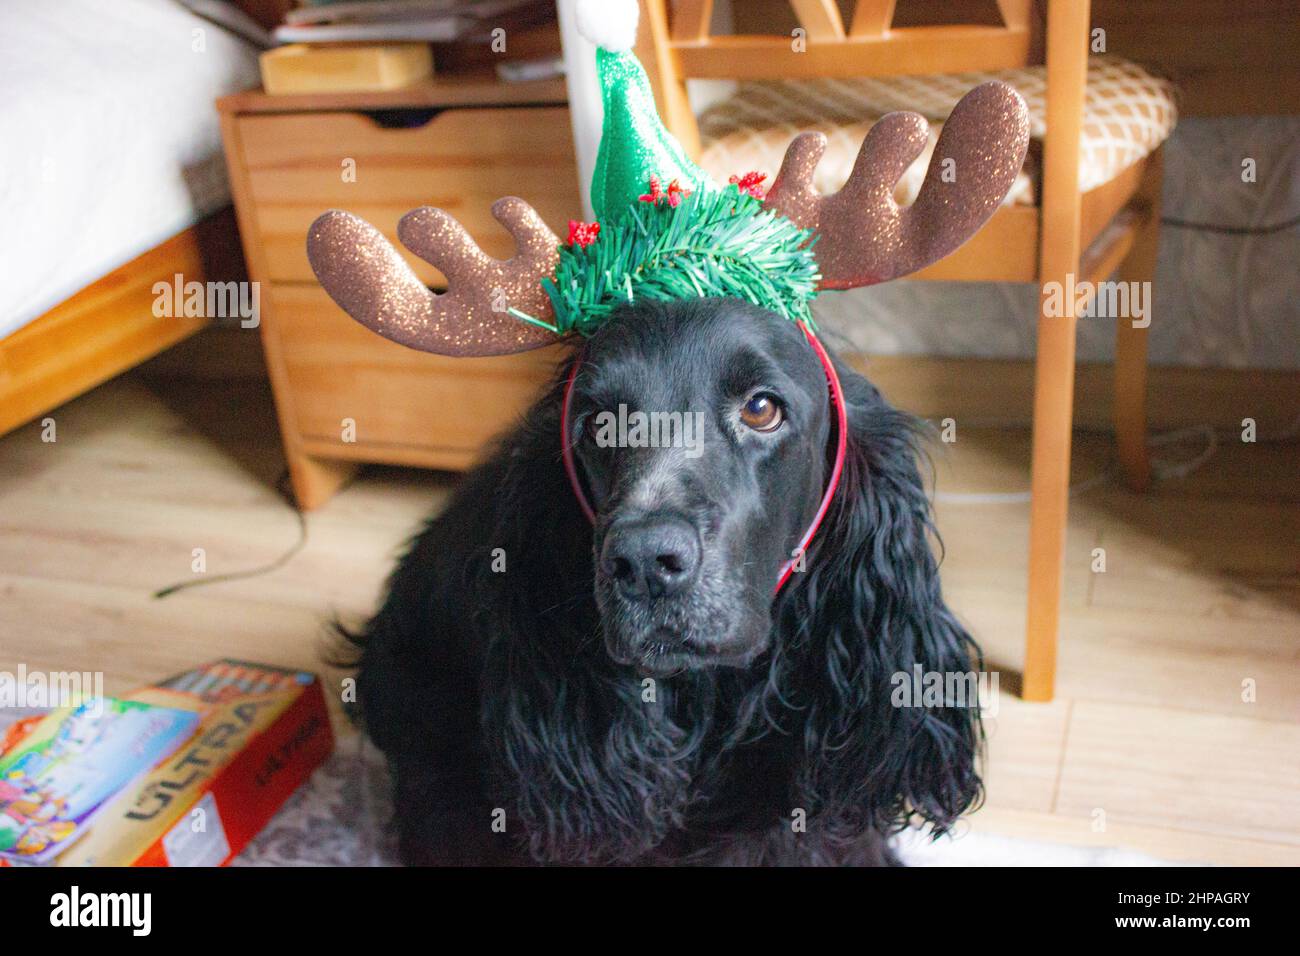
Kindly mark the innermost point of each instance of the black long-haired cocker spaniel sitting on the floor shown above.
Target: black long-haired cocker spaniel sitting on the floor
(549, 690)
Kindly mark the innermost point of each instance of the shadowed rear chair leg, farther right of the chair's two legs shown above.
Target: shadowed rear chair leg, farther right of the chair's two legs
(1139, 266)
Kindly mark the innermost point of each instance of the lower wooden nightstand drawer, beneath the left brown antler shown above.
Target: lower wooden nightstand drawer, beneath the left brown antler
(408, 408)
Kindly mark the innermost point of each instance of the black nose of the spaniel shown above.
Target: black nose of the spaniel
(655, 557)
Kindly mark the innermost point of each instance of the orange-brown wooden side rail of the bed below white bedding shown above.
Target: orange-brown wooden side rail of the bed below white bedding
(110, 326)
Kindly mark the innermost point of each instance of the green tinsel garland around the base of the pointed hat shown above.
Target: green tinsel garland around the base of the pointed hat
(713, 244)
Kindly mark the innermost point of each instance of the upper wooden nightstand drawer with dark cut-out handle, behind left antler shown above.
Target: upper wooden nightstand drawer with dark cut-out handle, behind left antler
(462, 161)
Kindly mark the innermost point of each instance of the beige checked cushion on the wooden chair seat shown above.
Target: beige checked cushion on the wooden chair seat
(1128, 114)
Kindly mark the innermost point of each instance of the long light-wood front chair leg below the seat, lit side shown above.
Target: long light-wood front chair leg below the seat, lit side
(1054, 419)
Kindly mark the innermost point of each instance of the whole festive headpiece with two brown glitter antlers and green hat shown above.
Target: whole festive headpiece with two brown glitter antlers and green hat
(666, 231)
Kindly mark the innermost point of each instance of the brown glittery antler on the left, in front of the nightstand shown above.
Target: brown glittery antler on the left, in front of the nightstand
(371, 282)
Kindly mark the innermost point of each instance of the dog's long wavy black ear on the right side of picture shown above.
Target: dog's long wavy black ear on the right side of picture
(870, 626)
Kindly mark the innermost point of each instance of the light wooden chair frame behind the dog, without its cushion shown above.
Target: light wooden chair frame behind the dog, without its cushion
(1085, 236)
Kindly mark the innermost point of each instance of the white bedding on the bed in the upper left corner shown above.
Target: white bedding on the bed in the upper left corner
(109, 139)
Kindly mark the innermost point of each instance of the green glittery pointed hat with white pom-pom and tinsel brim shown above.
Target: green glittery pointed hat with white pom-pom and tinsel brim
(665, 230)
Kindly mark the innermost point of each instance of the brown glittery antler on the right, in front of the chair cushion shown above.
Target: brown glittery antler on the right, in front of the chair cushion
(864, 236)
